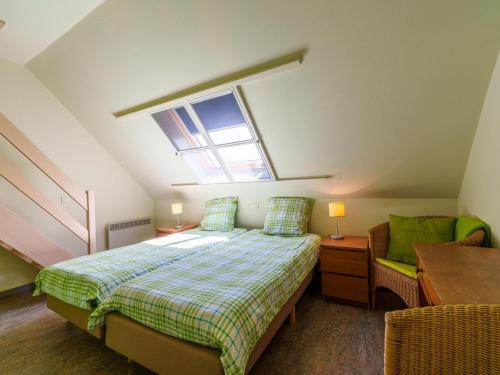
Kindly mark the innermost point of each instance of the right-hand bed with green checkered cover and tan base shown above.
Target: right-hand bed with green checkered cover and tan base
(214, 313)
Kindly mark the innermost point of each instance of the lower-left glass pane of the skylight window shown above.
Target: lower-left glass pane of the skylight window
(206, 167)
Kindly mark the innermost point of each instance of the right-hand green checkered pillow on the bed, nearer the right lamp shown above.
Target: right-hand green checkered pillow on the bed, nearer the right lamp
(288, 216)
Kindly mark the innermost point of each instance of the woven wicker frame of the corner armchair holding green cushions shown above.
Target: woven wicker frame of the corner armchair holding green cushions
(383, 277)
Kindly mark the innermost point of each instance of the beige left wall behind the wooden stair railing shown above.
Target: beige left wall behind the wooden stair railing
(41, 117)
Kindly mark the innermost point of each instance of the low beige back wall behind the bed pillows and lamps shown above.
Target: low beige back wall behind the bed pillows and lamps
(362, 213)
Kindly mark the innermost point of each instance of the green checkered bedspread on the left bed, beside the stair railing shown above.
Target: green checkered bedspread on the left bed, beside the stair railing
(85, 281)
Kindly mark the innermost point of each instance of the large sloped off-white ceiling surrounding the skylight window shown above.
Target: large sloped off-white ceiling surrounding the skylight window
(387, 99)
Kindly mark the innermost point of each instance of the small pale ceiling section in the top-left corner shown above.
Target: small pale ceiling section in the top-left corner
(33, 25)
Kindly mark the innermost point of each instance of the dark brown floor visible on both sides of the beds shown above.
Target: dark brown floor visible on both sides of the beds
(329, 339)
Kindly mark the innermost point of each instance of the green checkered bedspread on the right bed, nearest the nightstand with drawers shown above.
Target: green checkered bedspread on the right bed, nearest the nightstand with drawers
(225, 298)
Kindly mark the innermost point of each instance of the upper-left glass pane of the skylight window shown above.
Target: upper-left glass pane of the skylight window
(179, 128)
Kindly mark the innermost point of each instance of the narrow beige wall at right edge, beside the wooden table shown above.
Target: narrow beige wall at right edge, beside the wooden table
(480, 193)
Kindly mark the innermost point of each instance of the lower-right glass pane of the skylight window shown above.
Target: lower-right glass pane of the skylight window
(245, 162)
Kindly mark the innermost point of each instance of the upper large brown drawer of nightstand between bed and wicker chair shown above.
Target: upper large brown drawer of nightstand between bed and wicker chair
(344, 262)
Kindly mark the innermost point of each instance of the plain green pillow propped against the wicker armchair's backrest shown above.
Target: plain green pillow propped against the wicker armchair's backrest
(406, 230)
